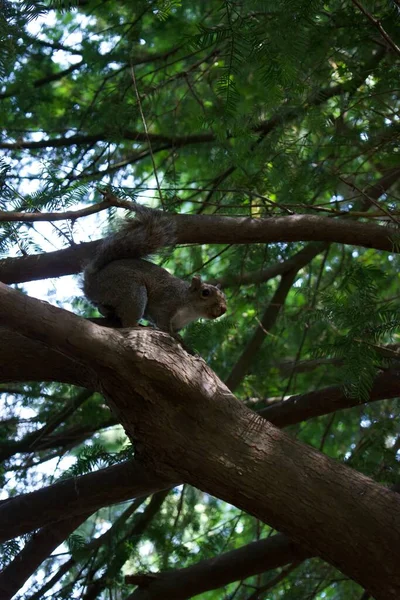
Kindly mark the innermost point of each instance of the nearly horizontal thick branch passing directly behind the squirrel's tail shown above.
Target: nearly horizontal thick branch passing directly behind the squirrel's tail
(207, 229)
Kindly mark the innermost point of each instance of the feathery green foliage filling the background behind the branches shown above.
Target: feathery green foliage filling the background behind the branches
(253, 108)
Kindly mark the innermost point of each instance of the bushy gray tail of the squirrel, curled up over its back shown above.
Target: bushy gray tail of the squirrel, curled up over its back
(136, 238)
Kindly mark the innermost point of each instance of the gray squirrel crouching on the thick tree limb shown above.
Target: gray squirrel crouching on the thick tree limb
(125, 288)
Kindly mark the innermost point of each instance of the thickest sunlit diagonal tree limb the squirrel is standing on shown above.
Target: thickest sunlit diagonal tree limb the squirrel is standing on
(188, 426)
